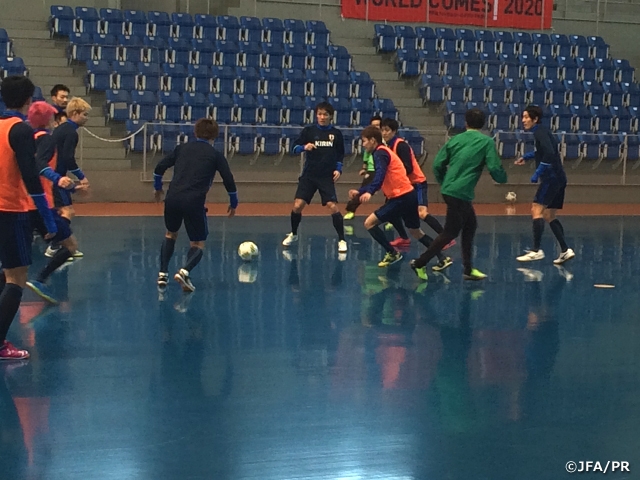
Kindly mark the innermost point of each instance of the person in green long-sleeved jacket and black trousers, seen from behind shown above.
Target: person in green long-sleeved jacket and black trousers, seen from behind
(457, 169)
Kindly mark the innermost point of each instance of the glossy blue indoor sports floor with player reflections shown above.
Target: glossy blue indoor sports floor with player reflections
(313, 368)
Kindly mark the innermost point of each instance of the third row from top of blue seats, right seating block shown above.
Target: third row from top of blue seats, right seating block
(489, 89)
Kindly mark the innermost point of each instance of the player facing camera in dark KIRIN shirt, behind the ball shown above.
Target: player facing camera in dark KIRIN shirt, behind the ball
(323, 146)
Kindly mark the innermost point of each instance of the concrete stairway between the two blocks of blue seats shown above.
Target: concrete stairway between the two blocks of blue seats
(357, 36)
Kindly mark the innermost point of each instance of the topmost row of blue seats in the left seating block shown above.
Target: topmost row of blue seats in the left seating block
(65, 21)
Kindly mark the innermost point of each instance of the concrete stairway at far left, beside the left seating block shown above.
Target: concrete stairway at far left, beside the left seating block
(47, 63)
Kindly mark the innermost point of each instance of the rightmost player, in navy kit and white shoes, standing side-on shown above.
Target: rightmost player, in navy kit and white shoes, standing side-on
(552, 181)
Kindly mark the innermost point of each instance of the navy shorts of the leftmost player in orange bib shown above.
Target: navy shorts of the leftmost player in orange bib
(15, 239)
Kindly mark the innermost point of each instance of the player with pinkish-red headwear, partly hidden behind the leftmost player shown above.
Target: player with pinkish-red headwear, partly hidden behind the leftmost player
(41, 118)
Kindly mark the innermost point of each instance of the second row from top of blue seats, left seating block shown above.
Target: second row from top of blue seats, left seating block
(84, 48)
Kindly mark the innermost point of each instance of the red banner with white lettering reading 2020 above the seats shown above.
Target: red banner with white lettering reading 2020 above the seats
(524, 14)
